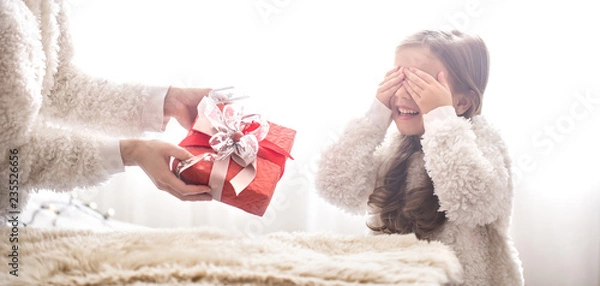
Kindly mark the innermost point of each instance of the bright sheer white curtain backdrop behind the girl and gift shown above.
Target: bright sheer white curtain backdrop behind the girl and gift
(313, 65)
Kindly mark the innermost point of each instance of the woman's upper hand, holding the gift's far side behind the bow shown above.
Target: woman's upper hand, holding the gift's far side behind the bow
(182, 104)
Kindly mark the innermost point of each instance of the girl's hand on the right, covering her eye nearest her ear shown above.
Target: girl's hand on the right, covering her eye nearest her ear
(426, 91)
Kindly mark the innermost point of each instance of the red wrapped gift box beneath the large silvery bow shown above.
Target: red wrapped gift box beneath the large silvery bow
(273, 151)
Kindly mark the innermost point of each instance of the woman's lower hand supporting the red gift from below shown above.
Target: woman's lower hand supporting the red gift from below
(154, 157)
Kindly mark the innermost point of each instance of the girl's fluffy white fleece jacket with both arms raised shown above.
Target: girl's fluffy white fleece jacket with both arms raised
(469, 165)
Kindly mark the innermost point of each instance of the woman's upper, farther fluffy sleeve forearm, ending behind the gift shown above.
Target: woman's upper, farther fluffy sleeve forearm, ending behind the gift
(115, 108)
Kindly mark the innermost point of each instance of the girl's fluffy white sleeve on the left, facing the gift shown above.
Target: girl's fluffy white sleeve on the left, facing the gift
(348, 169)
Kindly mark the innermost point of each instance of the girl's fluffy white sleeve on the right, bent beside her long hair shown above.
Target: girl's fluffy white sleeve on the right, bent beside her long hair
(468, 170)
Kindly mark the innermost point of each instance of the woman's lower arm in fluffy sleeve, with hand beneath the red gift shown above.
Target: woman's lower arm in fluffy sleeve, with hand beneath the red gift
(61, 159)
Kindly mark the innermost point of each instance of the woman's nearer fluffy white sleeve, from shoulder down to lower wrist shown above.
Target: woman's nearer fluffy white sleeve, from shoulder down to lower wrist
(43, 156)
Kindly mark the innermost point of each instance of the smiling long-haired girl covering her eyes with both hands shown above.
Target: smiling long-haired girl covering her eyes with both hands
(445, 175)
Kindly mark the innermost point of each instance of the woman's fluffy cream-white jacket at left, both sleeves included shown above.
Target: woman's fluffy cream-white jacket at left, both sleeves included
(62, 123)
